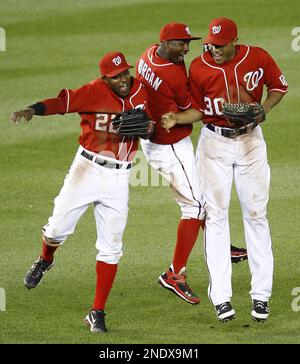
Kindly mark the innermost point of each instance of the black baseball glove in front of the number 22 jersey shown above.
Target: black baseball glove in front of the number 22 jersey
(133, 123)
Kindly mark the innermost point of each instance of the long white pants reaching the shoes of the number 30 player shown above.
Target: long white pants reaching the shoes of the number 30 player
(220, 160)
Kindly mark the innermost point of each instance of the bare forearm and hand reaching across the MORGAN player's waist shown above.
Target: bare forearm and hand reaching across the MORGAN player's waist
(189, 116)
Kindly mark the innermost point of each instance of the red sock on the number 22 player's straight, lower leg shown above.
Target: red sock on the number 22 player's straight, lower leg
(105, 277)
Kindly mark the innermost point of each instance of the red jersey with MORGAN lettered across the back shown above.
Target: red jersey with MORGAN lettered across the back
(167, 88)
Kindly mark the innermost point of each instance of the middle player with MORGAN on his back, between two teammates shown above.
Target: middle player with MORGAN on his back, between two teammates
(162, 70)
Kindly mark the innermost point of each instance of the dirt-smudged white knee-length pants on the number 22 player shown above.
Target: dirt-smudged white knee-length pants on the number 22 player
(107, 189)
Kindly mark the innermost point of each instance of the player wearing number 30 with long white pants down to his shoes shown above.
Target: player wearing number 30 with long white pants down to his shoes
(234, 73)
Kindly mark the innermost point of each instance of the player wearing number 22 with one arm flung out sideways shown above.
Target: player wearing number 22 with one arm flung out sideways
(99, 173)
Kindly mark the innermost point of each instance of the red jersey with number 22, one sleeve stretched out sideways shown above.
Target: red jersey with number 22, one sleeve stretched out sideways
(97, 105)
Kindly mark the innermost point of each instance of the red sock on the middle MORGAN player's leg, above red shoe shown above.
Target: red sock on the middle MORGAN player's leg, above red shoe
(187, 234)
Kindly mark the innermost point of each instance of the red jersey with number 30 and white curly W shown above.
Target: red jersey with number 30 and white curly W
(240, 80)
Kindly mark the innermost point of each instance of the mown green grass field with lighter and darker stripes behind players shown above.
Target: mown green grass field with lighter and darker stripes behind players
(51, 45)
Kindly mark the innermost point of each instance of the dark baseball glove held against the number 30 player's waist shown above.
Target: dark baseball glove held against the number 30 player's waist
(243, 114)
